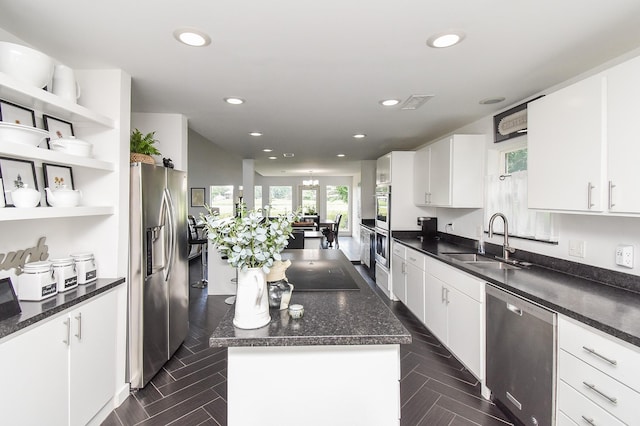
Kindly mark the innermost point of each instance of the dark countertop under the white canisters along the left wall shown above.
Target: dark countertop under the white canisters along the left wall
(33, 312)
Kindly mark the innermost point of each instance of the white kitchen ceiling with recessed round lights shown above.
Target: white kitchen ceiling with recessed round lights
(312, 72)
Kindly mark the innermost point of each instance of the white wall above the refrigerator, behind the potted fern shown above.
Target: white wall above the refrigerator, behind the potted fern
(171, 133)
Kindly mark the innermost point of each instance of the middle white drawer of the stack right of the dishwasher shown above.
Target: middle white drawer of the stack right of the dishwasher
(599, 388)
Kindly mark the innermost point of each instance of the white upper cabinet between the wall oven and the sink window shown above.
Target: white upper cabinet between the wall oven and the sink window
(450, 172)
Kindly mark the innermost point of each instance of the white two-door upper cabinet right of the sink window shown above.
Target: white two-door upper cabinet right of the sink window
(582, 154)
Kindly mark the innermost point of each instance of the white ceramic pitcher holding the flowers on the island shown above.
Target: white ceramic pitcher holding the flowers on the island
(252, 299)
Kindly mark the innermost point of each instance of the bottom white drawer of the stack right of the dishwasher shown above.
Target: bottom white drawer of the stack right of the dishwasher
(581, 410)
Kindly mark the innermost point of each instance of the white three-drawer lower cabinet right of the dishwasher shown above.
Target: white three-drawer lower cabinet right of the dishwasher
(597, 376)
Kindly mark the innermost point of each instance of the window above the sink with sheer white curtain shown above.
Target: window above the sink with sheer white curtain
(507, 194)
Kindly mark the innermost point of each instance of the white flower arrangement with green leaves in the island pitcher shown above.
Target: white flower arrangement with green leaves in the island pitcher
(250, 240)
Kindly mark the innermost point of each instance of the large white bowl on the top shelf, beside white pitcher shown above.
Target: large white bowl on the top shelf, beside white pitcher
(26, 64)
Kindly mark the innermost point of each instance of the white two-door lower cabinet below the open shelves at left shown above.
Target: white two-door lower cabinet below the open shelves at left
(63, 371)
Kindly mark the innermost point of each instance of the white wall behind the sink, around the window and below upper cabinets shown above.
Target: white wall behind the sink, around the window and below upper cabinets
(601, 234)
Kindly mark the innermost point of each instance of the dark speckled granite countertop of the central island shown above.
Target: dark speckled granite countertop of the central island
(343, 317)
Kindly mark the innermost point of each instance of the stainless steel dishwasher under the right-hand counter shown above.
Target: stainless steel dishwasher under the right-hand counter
(521, 356)
